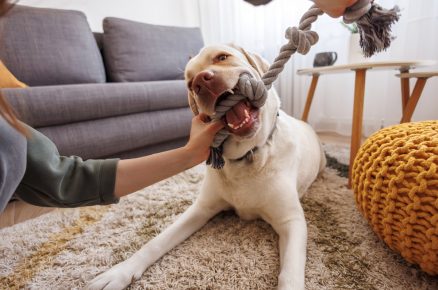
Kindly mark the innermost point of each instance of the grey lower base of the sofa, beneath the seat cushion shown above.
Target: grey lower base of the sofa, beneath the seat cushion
(110, 136)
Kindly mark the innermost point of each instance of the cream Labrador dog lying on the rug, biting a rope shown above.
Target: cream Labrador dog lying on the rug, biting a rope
(270, 161)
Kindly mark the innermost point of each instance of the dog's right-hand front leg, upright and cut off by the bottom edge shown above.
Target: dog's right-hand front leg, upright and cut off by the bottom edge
(293, 242)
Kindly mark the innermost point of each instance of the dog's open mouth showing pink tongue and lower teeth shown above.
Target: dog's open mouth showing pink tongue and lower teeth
(241, 118)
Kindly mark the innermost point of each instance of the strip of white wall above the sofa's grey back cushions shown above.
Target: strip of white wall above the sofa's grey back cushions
(163, 12)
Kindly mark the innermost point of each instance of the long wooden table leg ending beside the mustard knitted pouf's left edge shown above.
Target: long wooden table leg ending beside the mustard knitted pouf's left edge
(356, 133)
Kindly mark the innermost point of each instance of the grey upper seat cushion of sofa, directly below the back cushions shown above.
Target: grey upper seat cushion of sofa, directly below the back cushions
(75, 103)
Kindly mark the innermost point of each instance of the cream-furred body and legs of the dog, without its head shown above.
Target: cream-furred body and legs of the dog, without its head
(269, 188)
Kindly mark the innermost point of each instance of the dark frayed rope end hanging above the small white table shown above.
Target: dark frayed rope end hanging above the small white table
(375, 29)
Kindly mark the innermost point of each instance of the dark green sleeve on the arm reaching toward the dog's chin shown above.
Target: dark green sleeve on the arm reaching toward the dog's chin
(60, 181)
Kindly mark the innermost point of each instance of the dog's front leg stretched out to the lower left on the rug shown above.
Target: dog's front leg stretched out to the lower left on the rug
(121, 275)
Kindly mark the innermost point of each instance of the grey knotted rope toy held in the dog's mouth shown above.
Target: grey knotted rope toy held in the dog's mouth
(374, 23)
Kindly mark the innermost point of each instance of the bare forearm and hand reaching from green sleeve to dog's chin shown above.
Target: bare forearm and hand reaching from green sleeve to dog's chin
(137, 173)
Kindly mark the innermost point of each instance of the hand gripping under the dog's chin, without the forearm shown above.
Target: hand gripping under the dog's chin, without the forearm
(201, 136)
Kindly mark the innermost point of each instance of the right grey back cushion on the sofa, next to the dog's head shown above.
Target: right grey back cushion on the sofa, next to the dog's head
(137, 51)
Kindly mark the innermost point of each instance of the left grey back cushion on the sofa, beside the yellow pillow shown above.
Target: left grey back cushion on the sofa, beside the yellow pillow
(50, 46)
